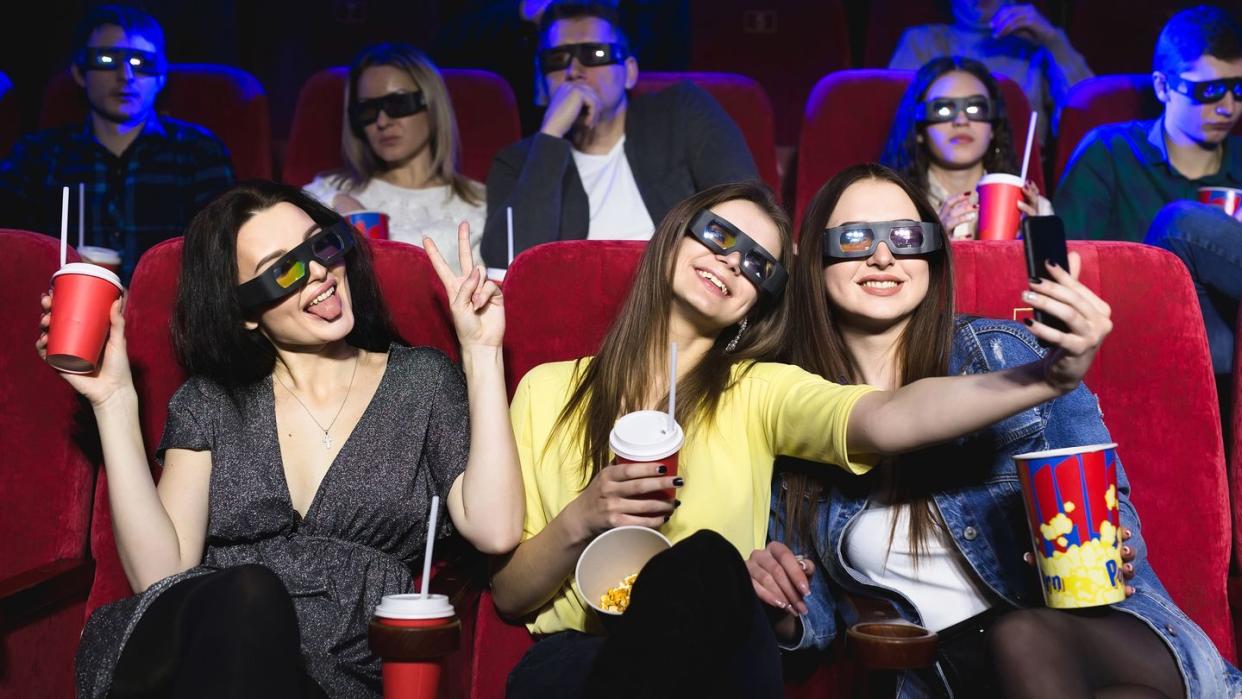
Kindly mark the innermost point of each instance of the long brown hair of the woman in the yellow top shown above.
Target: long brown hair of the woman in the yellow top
(633, 354)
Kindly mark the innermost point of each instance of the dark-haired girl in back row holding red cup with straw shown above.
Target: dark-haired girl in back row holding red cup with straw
(952, 129)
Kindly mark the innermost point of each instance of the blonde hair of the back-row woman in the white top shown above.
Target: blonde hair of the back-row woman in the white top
(362, 165)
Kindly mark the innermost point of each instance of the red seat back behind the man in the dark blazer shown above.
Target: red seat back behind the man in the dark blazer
(746, 102)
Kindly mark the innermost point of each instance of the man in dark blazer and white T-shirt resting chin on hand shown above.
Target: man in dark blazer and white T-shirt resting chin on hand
(603, 166)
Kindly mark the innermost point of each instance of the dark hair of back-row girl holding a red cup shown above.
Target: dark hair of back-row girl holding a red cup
(909, 157)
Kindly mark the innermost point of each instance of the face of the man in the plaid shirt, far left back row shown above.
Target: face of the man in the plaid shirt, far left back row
(121, 95)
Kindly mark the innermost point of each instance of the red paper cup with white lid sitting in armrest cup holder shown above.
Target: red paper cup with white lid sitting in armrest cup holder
(417, 680)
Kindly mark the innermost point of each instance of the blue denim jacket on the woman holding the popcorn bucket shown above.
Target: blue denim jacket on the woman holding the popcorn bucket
(982, 510)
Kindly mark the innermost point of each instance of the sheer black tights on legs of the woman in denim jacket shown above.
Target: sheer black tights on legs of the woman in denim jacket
(1096, 654)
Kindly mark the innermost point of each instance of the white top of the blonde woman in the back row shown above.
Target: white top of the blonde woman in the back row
(415, 213)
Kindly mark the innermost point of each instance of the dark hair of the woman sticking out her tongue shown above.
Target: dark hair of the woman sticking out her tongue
(208, 321)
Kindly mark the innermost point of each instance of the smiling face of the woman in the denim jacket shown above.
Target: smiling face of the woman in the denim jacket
(884, 290)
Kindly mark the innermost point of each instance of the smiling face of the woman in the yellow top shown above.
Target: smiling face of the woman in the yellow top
(709, 287)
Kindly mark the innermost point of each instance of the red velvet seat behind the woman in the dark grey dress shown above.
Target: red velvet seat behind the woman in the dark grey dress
(419, 309)
